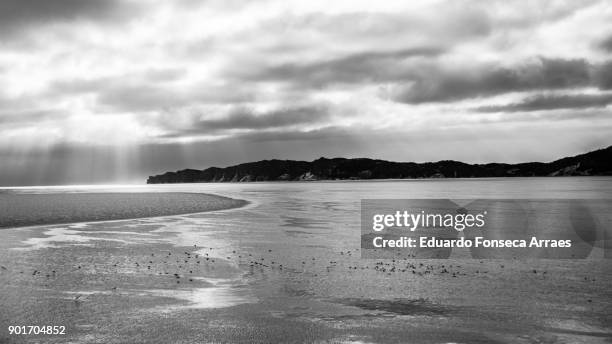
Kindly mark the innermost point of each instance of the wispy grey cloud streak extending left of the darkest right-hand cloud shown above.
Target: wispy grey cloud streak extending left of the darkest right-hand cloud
(356, 68)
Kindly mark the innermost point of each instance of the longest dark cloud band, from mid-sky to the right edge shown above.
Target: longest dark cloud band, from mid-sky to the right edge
(421, 78)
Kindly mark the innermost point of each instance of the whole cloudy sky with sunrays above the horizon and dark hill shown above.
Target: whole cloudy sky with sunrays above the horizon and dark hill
(112, 91)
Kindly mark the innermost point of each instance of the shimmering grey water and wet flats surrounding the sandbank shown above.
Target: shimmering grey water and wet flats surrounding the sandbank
(287, 268)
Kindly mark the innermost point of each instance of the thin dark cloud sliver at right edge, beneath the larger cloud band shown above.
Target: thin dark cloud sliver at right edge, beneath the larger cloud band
(553, 102)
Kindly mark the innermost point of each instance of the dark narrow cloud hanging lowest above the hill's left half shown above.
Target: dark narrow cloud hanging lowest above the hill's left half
(244, 119)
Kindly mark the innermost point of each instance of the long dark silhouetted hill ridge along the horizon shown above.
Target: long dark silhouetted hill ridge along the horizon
(596, 163)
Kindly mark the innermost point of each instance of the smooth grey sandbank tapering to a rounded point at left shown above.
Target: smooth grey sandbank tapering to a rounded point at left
(32, 210)
